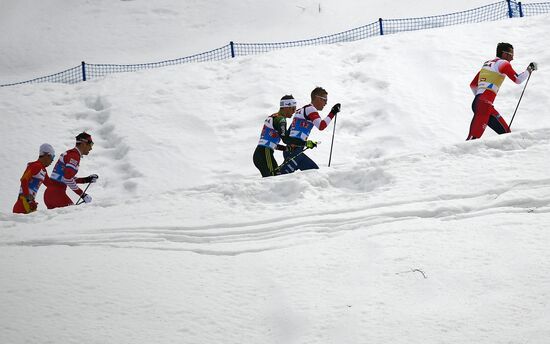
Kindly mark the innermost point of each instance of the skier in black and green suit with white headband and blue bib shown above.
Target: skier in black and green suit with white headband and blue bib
(273, 131)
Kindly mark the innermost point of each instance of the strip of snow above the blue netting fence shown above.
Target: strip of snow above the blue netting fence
(50, 36)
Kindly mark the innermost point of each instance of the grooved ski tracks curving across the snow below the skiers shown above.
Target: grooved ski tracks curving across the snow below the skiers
(263, 237)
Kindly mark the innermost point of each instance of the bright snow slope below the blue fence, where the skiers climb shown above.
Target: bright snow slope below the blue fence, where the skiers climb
(411, 236)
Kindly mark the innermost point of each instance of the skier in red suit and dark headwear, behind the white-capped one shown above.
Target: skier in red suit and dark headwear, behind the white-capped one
(64, 173)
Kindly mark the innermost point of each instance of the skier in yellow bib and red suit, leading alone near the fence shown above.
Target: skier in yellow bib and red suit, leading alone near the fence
(485, 86)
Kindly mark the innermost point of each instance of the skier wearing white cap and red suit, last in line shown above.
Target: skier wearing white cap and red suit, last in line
(34, 176)
